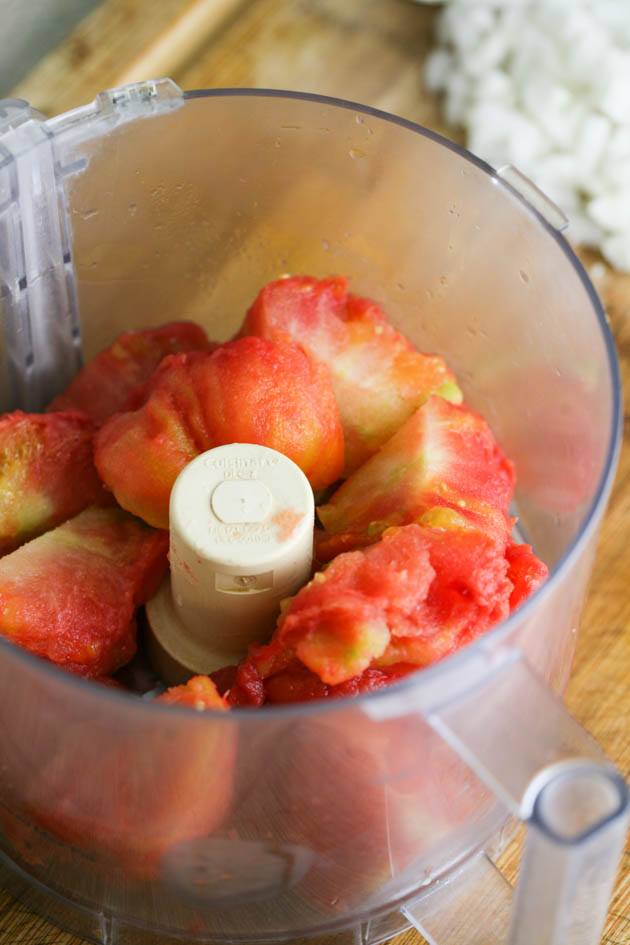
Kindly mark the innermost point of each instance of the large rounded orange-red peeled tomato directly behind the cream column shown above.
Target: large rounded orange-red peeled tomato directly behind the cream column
(246, 391)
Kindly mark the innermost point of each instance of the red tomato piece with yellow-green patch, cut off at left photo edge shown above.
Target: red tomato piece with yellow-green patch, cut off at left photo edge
(47, 473)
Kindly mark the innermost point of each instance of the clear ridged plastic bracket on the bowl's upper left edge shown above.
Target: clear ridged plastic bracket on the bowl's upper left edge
(40, 326)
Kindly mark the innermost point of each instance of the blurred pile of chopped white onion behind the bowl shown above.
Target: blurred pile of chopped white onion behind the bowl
(545, 85)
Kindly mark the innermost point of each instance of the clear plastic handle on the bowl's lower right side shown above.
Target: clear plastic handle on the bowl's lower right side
(518, 738)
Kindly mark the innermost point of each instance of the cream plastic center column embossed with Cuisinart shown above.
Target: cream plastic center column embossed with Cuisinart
(241, 540)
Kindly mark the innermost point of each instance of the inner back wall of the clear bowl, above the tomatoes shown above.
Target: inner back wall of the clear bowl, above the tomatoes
(190, 213)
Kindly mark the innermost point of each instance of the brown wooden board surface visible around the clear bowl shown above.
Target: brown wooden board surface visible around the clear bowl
(369, 51)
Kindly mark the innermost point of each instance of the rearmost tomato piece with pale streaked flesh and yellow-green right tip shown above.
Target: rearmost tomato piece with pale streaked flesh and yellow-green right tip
(378, 376)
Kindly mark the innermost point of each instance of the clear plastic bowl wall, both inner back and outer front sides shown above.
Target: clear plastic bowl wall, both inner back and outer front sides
(271, 825)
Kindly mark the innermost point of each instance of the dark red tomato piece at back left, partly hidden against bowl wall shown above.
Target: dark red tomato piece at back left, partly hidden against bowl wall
(112, 381)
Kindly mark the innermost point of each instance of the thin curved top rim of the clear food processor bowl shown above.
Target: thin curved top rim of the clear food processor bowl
(590, 521)
